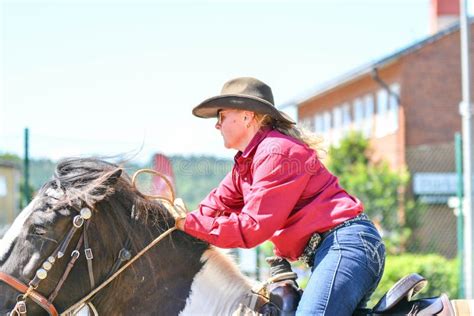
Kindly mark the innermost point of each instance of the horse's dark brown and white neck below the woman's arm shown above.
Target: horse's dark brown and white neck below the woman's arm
(178, 275)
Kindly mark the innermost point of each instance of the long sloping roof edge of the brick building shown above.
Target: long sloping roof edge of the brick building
(369, 67)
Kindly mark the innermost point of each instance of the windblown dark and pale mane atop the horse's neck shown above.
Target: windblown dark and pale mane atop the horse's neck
(92, 180)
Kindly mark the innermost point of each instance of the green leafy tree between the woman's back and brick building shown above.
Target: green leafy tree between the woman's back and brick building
(379, 188)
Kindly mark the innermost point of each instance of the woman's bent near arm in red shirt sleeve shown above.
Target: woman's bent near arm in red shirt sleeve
(275, 190)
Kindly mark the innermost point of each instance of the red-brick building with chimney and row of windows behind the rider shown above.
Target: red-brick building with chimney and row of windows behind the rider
(407, 104)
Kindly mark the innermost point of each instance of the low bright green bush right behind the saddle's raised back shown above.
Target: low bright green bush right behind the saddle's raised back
(441, 273)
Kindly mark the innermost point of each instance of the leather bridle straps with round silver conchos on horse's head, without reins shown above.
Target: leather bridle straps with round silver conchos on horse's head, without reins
(29, 291)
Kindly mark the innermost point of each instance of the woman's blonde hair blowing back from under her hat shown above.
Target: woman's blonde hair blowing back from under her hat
(299, 133)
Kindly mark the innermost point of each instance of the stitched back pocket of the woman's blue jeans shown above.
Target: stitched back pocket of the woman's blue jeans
(374, 252)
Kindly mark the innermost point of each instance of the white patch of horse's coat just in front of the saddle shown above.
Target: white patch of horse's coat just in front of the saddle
(218, 288)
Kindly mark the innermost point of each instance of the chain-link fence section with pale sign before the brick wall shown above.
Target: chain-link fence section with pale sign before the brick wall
(433, 185)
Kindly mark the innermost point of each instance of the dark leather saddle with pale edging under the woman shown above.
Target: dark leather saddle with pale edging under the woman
(285, 295)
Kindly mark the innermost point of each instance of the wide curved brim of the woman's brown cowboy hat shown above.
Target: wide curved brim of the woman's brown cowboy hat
(210, 107)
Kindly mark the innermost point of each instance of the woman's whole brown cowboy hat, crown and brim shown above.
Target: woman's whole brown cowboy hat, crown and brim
(244, 93)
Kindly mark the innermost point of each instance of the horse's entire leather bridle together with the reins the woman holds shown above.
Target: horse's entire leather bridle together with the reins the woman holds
(79, 221)
